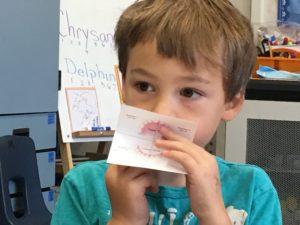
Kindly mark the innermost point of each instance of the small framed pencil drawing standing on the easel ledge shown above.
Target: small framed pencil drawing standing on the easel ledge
(83, 108)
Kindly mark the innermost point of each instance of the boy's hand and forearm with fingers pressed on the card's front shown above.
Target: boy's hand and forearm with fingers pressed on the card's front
(202, 179)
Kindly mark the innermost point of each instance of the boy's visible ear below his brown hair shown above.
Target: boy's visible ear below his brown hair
(233, 107)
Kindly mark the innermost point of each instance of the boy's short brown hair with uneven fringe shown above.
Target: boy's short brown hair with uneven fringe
(185, 29)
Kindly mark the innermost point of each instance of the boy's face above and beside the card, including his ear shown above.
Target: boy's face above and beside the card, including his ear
(166, 86)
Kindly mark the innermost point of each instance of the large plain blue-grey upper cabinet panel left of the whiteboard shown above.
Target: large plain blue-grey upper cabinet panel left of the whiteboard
(29, 35)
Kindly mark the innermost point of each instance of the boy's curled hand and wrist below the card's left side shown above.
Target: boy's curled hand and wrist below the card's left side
(126, 188)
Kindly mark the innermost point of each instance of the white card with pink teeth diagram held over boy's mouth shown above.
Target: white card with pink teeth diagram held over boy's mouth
(133, 142)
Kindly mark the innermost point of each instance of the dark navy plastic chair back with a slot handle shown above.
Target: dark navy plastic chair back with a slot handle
(18, 164)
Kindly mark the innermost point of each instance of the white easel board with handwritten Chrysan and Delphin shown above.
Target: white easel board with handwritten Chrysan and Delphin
(87, 56)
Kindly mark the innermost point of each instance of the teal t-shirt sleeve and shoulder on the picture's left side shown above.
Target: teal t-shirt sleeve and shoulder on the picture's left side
(83, 198)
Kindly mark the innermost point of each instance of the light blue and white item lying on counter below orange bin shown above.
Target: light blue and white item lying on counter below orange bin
(268, 72)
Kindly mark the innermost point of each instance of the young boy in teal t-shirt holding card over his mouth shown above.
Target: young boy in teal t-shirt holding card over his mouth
(189, 59)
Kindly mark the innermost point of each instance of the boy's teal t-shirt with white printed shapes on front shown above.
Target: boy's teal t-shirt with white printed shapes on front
(249, 197)
